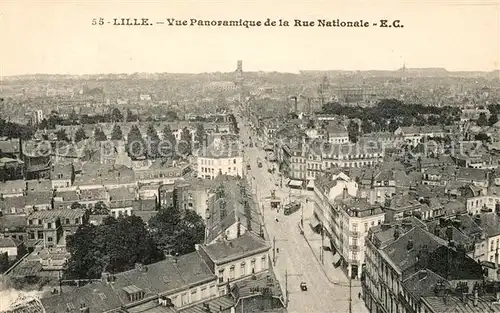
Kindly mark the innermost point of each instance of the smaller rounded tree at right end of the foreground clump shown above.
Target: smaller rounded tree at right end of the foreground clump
(177, 231)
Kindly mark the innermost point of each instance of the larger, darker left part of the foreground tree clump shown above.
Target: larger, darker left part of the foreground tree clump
(113, 247)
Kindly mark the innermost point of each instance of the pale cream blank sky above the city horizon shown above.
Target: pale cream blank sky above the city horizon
(57, 37)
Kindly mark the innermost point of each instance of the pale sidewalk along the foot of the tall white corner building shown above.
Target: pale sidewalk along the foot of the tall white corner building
(334, 274)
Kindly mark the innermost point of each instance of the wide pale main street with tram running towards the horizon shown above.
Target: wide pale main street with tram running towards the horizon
(295, 257)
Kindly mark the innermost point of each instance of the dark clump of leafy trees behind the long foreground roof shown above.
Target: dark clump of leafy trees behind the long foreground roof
(117, 244)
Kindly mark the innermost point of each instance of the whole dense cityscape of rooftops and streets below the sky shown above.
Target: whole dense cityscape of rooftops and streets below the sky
(320, 191)
